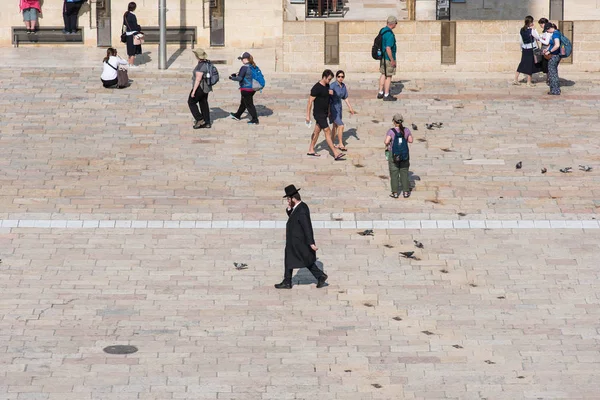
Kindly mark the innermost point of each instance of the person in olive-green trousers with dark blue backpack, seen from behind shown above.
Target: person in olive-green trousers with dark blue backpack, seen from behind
(396, 152)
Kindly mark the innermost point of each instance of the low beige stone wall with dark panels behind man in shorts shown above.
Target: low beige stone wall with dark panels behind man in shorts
(481, 46)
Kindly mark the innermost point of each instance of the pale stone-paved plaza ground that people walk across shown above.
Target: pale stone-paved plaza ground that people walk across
(120, 224)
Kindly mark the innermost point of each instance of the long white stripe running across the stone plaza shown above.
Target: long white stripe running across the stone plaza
(239, 224)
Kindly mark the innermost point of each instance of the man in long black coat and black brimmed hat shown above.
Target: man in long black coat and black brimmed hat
(300, 249)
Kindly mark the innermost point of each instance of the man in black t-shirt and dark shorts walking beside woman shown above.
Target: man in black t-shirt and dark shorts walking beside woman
(319, 95)
